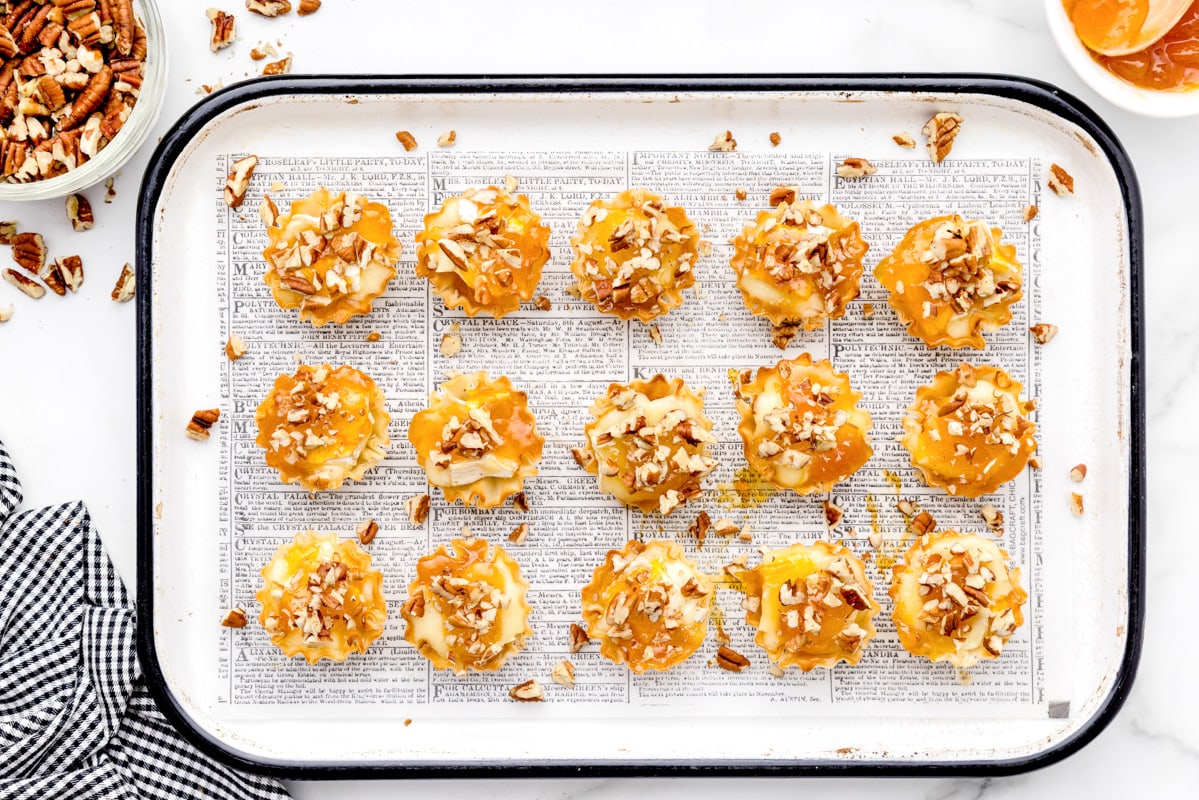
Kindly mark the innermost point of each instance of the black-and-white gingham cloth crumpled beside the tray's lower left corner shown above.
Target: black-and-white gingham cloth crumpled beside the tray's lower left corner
(76, 720)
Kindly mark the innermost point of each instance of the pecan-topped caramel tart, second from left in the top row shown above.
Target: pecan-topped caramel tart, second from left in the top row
(484, 251)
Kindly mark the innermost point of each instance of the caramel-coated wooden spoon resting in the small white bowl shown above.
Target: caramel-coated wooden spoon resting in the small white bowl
(1124, 27)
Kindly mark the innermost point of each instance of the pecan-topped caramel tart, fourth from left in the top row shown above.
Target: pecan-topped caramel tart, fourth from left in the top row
(799, 264)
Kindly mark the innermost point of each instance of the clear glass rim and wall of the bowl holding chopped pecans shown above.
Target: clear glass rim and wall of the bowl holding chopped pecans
(131, 136)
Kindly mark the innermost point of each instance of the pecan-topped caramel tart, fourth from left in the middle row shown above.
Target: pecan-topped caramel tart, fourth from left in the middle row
(802, 425)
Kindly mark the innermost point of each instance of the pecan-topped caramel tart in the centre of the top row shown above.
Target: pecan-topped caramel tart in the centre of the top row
(635, 255)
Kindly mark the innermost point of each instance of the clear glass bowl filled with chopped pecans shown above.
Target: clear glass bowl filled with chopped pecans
(81, 89)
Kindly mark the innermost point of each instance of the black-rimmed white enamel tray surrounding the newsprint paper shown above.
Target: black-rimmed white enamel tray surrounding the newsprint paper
(1084, 575)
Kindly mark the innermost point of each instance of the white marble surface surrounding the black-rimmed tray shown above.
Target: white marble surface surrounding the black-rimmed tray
(67, 368)
